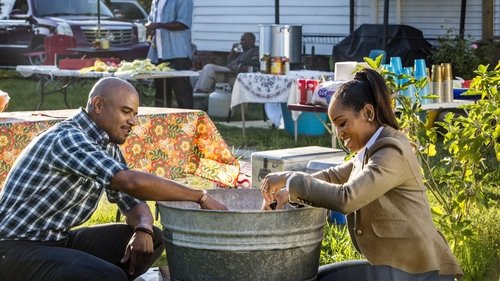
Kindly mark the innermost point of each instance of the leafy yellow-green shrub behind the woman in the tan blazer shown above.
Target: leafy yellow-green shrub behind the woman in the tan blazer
(460, 161)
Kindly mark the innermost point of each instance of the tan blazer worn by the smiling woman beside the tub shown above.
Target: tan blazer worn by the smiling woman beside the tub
(388, 214)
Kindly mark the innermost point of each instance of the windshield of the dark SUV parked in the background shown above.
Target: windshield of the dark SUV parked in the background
(70, 8)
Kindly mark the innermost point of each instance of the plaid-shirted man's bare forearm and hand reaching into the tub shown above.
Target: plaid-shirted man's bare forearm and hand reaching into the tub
(147, 186)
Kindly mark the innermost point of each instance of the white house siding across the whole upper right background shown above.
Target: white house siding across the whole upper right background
(219, 23)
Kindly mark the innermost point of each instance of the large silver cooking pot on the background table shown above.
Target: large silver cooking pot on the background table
(281, 41)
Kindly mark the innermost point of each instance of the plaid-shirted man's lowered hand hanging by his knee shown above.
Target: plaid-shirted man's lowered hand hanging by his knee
(139, 250)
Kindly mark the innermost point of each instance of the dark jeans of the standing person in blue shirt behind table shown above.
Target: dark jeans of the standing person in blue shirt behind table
(180, 86)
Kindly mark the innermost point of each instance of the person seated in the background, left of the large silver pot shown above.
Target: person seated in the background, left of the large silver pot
(241, 56)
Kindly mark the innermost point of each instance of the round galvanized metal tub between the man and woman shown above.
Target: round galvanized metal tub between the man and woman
(243, 243)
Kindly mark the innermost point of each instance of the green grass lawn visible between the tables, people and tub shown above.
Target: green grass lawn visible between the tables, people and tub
(479, 257)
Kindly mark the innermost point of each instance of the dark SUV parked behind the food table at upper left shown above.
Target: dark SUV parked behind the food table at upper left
(25, 24)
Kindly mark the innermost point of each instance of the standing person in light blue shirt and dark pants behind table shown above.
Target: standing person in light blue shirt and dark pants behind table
(170, 27)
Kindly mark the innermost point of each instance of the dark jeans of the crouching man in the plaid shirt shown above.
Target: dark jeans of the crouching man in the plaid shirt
(89, 253)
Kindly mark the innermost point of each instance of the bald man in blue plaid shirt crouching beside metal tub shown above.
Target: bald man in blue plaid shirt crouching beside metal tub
(56, 184)
